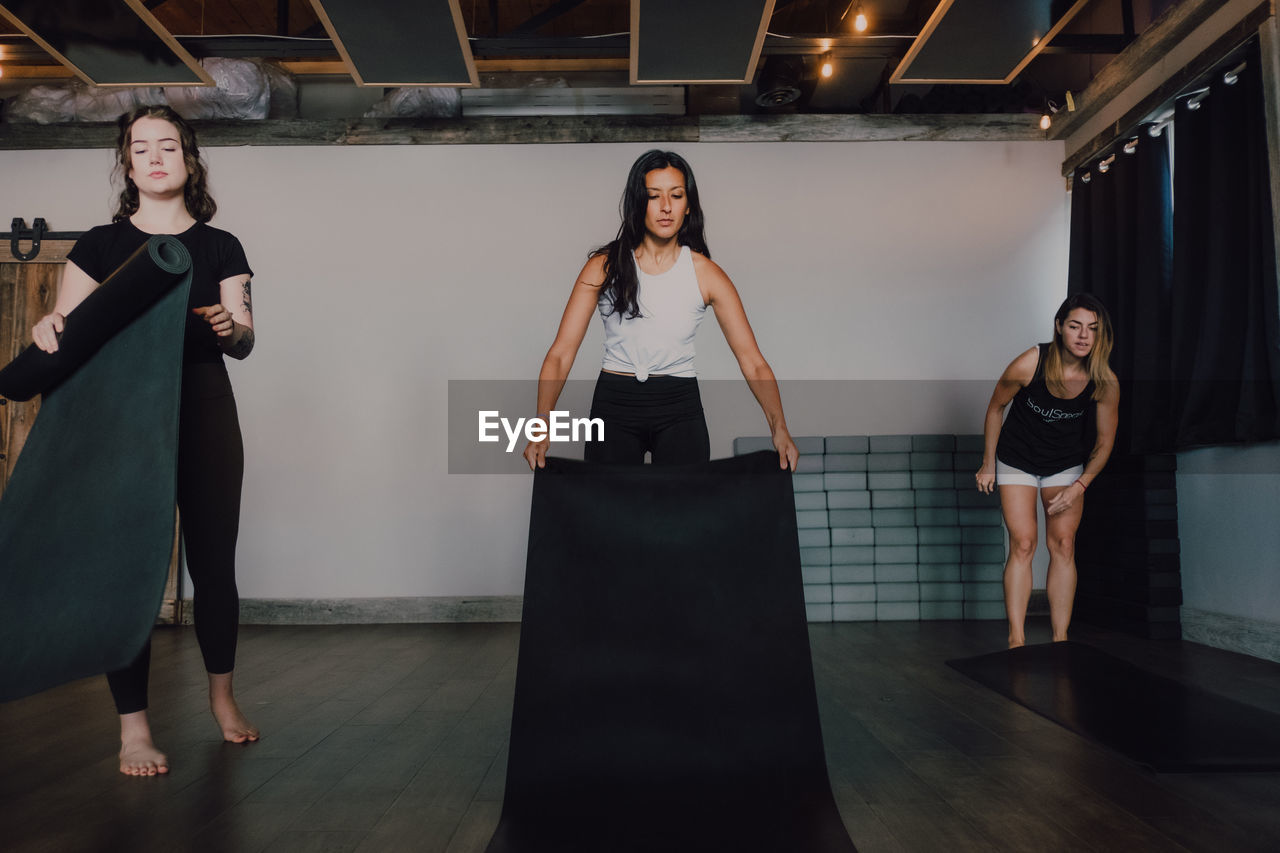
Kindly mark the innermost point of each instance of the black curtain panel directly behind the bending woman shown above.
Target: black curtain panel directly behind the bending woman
(1122, 238)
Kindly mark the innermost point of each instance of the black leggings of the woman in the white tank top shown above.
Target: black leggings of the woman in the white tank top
(662, 416)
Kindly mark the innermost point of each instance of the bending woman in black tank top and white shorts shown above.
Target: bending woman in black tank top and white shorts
(1043, 448)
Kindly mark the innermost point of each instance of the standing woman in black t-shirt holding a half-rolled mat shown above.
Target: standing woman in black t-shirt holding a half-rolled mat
(166, 193)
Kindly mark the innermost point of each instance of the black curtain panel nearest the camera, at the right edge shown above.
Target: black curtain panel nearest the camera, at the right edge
(1226, 349)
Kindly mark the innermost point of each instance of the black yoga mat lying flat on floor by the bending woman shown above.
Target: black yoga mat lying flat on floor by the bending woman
(1156, 722)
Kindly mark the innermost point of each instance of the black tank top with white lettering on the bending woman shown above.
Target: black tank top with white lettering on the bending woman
(1045, 435)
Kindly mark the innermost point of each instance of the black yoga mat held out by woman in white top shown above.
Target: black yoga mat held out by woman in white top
(665, 695)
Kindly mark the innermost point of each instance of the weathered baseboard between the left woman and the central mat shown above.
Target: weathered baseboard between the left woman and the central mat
(373, 612)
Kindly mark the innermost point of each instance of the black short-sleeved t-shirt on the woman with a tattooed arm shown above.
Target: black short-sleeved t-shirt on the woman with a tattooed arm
(216, 256)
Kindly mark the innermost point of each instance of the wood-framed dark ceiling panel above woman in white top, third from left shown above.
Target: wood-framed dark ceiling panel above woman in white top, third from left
(710, 42)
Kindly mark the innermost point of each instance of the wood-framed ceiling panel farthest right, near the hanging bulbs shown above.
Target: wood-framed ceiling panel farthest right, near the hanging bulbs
(984, 42)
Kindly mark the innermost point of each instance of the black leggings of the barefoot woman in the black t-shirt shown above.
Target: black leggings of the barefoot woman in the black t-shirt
(211, 469)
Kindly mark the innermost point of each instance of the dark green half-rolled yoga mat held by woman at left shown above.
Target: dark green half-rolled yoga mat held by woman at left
(88, 518)
